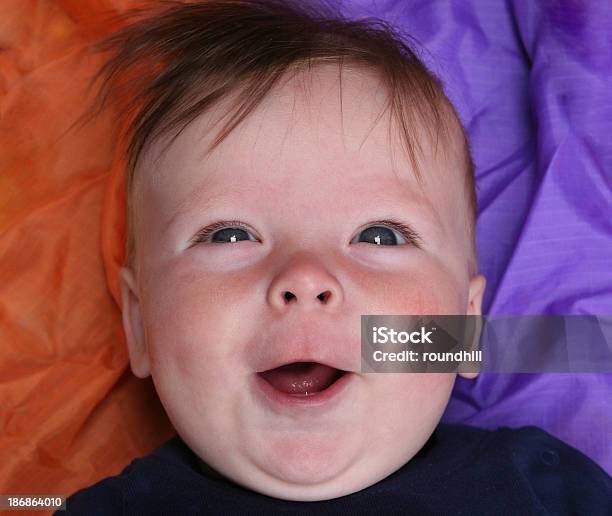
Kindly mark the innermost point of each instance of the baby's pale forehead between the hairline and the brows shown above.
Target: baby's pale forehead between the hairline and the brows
(319, 131)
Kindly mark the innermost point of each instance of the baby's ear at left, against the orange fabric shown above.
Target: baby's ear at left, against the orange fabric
(132, 324)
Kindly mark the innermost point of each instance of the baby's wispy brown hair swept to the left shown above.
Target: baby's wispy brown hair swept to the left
(178, 59)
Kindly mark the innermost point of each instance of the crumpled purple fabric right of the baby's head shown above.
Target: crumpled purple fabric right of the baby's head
(531, 82)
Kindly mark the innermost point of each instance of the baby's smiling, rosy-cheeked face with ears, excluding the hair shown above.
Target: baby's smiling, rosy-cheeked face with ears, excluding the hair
(299, 187)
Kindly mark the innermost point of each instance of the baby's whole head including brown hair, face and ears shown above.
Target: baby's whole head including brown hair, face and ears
(341, 184)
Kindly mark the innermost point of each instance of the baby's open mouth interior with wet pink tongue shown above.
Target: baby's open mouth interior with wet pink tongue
(301, 378)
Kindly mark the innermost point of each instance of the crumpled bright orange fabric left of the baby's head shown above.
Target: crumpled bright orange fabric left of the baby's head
(71, 412)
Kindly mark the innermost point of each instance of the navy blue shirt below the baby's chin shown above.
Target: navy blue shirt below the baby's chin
(460, 470)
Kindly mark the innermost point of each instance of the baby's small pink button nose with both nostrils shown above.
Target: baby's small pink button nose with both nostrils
(305, 282)
